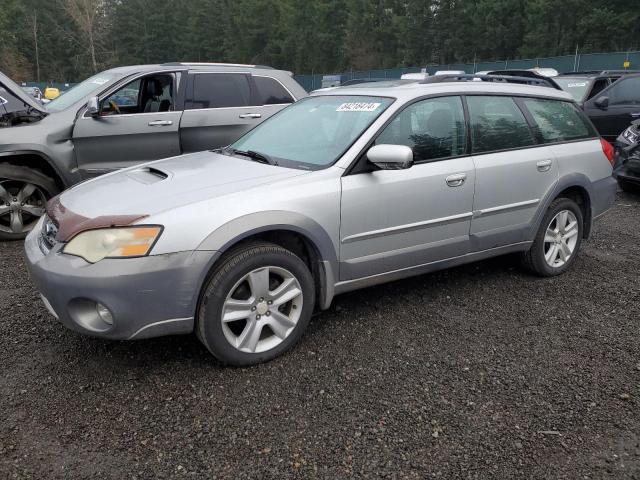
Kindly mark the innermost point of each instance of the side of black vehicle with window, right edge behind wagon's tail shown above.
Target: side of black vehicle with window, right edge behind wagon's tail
(623, 107)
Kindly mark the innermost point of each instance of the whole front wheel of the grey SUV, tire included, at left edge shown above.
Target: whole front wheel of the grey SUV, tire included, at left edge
(14, 182)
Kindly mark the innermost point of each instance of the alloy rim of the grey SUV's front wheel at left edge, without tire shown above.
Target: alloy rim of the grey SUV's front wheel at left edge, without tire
(21, 206)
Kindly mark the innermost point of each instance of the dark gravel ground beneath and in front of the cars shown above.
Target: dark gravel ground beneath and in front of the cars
(477, 372)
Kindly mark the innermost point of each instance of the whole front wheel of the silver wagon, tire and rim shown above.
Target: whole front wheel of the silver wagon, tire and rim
(235, 291)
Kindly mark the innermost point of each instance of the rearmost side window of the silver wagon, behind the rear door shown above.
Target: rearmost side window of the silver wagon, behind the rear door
(558, 121)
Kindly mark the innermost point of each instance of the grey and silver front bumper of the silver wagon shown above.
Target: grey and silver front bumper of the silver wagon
(147, 297)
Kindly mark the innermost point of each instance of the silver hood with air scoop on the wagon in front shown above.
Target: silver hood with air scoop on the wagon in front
(166, 184)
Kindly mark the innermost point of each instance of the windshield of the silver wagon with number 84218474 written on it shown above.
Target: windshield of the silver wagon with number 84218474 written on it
(314, 132)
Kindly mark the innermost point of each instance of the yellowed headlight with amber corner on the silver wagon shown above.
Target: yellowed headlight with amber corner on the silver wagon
(127, 242)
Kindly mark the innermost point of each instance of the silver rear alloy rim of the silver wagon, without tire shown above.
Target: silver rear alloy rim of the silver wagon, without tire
(561, 238)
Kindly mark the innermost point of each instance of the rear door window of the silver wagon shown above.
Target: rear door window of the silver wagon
(497, 124)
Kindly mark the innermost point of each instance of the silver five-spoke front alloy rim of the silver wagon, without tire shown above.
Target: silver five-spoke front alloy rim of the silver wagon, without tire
(262, 309)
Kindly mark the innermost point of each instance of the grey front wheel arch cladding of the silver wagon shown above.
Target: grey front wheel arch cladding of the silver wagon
(295, 232)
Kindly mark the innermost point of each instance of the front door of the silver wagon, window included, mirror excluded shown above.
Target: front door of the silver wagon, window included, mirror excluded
(396, 219)
